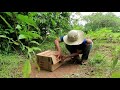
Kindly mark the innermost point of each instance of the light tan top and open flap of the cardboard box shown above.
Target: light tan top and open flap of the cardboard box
(51, 54)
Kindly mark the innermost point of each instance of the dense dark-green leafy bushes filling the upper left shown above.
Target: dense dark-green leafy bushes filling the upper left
(24, 31)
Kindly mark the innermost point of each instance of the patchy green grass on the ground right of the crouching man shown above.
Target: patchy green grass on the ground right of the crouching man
(102, 59)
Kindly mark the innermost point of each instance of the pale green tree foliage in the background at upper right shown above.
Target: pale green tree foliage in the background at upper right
(100, 20)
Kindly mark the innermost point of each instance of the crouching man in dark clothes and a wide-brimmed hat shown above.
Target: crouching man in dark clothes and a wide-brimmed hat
(76, 44)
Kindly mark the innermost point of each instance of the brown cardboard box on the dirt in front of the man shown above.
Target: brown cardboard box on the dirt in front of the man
(47, 60)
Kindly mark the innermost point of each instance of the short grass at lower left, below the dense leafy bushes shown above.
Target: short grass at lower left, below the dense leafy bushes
(9, 66)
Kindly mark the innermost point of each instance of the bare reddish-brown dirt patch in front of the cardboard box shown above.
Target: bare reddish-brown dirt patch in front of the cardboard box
(60, 72)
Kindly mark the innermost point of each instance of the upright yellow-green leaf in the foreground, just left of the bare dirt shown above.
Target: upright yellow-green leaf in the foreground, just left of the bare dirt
(26, 69)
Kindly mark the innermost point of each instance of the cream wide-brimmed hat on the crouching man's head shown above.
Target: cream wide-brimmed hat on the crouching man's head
(74, 37)
